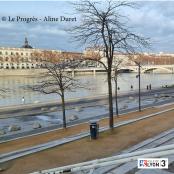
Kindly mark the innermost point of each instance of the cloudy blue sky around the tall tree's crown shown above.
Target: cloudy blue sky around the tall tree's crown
(153, 19)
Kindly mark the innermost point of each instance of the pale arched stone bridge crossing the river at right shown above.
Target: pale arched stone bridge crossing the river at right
(149, 68)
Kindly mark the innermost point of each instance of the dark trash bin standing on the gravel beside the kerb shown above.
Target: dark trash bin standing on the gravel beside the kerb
(94, 129)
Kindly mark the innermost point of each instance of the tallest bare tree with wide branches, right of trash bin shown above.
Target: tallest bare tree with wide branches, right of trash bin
(102, 25)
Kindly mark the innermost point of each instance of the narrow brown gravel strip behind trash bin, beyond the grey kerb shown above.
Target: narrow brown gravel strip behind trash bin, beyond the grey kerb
(73, 130)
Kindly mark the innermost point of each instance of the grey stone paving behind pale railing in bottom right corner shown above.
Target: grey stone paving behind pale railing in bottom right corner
(164, 138)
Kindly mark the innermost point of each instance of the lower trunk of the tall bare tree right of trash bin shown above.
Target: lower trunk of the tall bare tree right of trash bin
(111, 124)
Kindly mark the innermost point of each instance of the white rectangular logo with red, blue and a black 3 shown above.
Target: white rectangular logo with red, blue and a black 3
(153, 163)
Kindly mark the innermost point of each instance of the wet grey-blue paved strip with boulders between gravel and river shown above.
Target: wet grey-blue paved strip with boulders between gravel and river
(100, 109)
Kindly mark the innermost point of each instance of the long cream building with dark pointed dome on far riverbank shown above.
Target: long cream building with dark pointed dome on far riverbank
(26, 57)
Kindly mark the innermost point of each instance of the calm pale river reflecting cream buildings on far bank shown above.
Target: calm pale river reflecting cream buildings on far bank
(96, 85)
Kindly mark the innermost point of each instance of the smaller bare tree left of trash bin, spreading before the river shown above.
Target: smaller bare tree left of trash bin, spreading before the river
(57, 78)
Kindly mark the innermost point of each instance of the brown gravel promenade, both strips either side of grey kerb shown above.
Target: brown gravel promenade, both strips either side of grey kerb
(84, 149)
